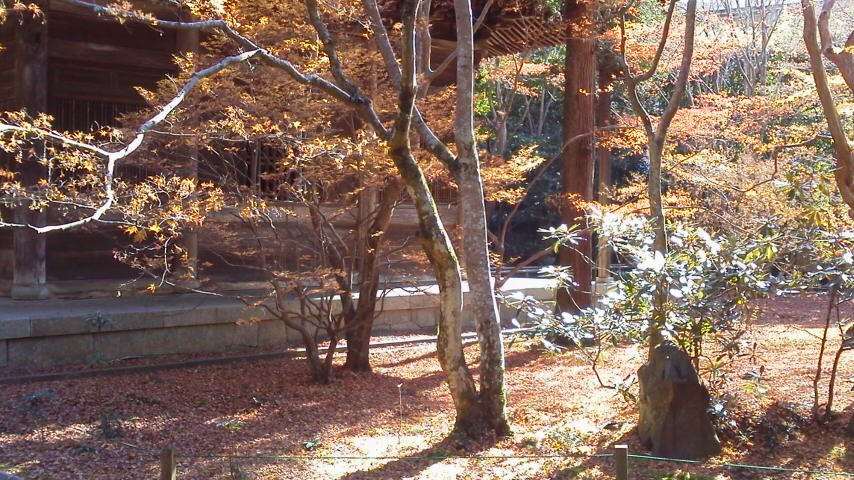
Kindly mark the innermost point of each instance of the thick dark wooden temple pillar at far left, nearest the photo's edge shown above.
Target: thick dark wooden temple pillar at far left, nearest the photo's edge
(29, 274)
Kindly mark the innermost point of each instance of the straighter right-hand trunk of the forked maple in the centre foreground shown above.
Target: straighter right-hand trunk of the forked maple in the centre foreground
(482, 305)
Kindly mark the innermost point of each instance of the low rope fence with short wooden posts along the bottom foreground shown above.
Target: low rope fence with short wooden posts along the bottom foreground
(168, 457)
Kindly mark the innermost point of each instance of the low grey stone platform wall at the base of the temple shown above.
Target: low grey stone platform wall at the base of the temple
(91, 331)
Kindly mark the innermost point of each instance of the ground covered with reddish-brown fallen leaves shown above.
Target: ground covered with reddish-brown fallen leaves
(243, 420)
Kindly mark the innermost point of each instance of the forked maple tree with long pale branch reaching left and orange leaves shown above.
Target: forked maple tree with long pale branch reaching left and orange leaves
(239, 41)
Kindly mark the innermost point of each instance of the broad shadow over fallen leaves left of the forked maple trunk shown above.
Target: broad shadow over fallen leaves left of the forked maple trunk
(268, 406)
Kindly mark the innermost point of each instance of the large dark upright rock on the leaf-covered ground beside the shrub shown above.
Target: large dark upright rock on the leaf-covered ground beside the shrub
(674, 407)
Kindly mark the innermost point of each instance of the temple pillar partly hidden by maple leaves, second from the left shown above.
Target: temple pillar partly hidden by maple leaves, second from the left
(188, 42)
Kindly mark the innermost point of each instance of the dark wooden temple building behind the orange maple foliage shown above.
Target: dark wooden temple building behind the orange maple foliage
(83, 69)
